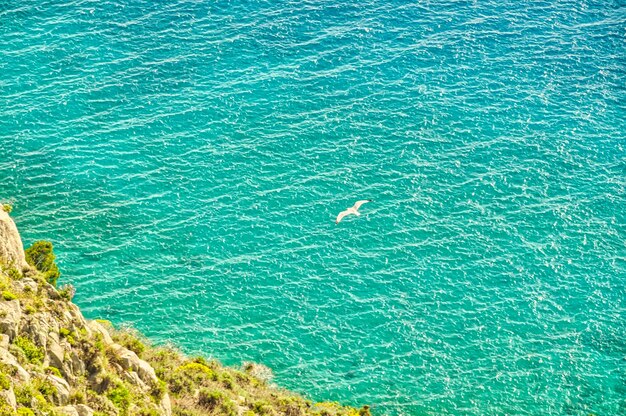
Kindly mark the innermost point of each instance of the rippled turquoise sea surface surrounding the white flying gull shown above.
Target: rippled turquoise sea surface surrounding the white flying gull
(188, 159)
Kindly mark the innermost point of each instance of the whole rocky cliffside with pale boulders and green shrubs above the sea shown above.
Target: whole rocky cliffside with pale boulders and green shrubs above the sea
(53, 361)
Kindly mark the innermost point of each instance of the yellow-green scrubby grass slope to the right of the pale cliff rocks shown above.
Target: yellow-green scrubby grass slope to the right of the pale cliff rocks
(200, 387)
